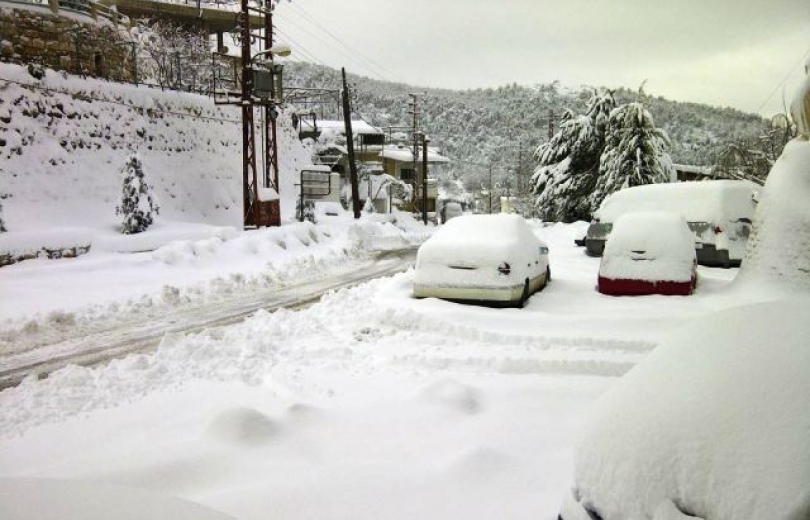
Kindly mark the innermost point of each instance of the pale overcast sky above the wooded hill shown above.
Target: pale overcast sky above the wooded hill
(722, 52)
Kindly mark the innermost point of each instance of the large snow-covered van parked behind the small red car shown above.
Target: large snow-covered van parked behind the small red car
(719, 213)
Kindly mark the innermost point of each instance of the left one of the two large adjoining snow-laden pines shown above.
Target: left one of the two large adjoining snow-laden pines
(568, 163)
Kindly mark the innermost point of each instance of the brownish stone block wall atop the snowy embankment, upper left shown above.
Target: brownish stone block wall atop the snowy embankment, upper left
(64, 39)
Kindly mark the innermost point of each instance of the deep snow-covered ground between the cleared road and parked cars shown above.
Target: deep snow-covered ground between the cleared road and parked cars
(369, 404)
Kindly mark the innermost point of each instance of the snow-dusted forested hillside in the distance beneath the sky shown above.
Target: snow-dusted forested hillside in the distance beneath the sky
(484, 125)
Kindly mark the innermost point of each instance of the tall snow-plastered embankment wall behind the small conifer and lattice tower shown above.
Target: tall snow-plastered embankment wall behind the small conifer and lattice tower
(65, 139)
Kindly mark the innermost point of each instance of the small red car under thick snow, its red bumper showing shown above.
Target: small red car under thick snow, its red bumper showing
(649, 252)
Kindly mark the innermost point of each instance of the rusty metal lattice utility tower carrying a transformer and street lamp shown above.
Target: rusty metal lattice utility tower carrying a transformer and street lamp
(260, 87)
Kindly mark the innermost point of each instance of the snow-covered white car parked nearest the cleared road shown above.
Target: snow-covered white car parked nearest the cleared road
(493, 258)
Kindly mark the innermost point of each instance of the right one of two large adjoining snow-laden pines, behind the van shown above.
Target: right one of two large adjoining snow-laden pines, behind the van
(635, 152)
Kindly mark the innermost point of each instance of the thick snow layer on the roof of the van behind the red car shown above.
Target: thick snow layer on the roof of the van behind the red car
(706, 201)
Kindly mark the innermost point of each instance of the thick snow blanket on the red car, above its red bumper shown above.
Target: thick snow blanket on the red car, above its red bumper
(649, 245)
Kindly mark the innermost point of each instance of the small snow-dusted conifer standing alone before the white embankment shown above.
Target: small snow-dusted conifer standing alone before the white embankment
(138, 206)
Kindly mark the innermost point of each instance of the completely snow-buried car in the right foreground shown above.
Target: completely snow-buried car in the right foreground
(712, 425)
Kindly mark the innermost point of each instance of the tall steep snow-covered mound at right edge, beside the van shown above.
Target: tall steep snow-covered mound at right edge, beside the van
(779, 249)
